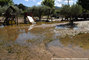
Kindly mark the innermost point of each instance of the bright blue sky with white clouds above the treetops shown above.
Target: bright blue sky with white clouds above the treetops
(31, 3)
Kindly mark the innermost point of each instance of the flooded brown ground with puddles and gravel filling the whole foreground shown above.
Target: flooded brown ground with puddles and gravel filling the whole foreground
(43, 42)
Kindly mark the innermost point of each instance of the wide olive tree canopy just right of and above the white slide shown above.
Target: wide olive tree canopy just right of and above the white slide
(39, 11)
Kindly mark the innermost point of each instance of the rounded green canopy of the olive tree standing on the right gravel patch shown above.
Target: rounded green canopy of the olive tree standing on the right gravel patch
(71, 11)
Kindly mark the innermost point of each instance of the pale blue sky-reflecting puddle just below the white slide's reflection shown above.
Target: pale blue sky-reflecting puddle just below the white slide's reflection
(26, 38)
